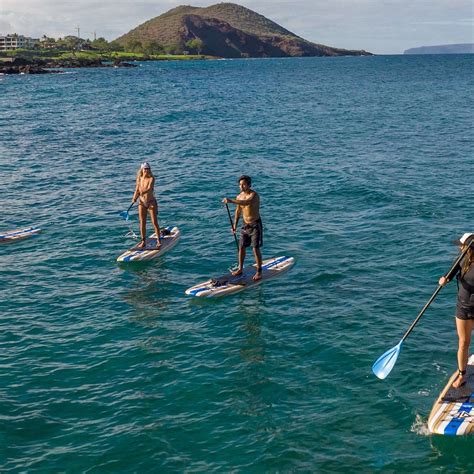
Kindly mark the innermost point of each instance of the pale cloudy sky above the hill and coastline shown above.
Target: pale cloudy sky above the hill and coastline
(378, 26)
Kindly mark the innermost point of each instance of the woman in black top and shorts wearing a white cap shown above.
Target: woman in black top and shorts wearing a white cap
(465, 304)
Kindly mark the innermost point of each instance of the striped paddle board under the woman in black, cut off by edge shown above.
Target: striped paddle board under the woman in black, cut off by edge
(453, 412)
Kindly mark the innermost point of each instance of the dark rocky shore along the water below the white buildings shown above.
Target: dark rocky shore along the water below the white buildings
(47, 66)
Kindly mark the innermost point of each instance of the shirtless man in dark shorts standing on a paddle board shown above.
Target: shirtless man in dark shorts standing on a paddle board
(251, 233)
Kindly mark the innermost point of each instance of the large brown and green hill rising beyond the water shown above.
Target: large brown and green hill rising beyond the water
(225, 30)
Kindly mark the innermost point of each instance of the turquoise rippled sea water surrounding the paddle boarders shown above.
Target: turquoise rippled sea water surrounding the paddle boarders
(364, 170)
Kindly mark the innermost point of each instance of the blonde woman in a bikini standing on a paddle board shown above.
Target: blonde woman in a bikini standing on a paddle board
(144, 191)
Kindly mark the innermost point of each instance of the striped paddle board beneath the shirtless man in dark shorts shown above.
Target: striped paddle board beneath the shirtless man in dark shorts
(228, 284)
